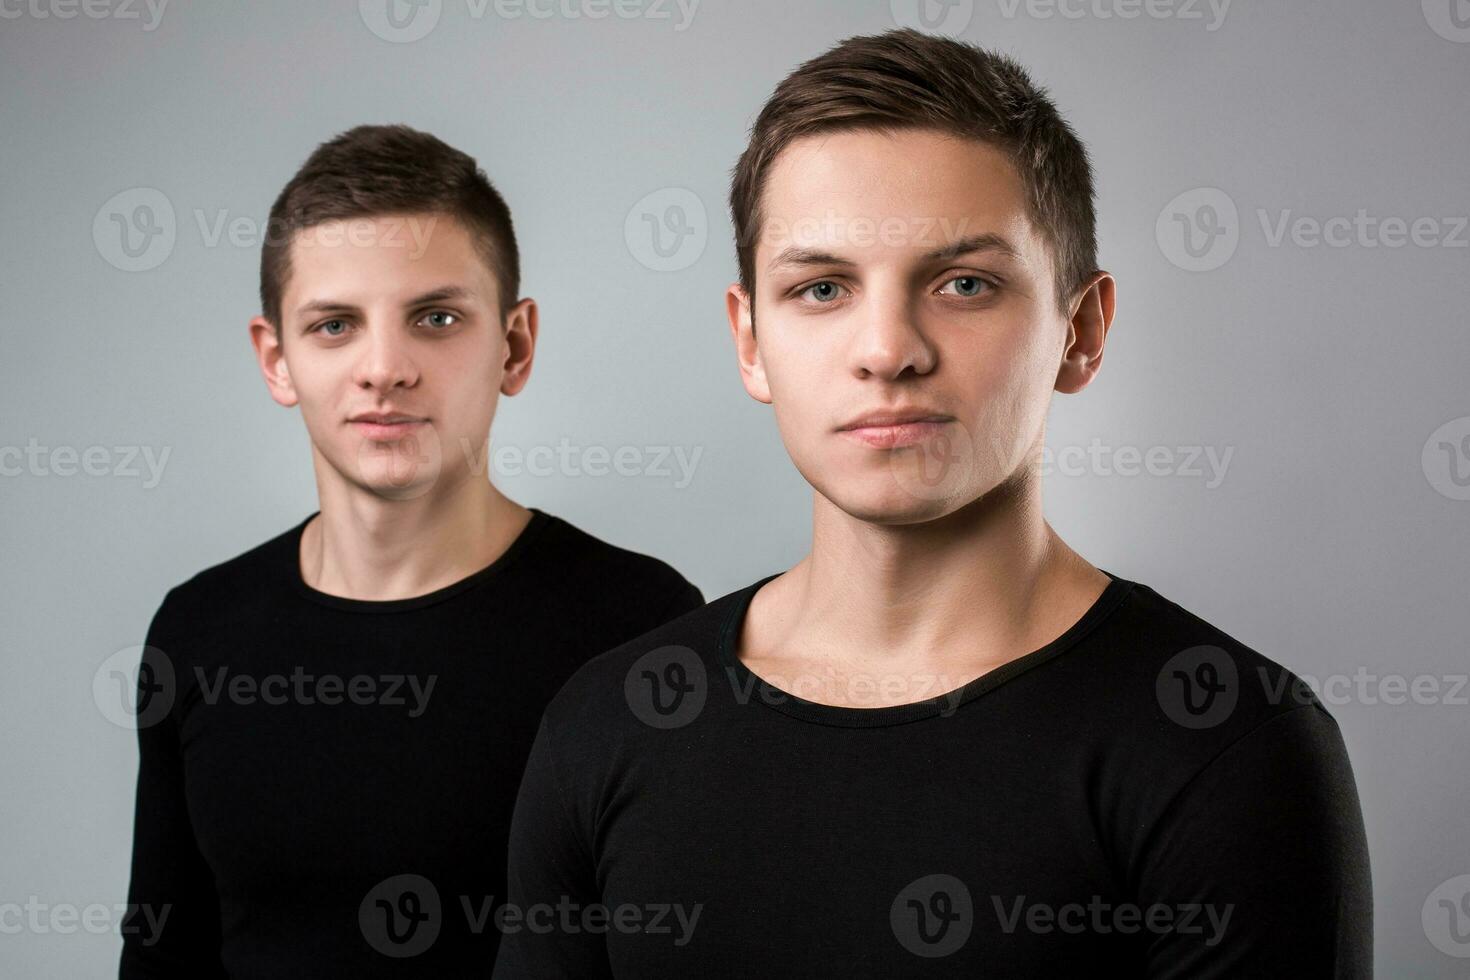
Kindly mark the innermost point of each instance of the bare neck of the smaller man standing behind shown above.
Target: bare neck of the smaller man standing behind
(370, 547)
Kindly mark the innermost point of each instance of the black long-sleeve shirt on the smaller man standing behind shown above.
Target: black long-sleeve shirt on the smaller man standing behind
(326, 785)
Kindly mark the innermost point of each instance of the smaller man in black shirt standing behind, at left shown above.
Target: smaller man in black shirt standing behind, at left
(333, 725)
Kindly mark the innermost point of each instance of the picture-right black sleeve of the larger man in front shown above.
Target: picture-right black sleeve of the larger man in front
(1261, 862)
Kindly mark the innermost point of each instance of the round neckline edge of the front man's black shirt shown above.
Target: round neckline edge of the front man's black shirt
(790, 705)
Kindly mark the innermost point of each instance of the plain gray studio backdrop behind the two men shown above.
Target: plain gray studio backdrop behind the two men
(1337, 541)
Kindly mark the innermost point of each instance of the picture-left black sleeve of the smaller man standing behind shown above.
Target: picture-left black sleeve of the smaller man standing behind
(171, 926)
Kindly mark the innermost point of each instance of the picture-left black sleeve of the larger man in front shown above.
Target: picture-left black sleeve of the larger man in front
(549, 869)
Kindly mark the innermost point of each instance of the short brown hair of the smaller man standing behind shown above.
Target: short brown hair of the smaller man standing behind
(374, 171)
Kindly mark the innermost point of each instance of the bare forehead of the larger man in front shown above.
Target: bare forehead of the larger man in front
(927, 187)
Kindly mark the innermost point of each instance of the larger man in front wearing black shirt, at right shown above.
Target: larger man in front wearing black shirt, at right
(943, 744)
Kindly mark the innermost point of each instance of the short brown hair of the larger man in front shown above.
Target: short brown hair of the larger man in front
(906, 80)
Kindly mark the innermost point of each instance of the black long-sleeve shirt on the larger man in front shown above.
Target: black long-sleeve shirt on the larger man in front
(1141, 797)
